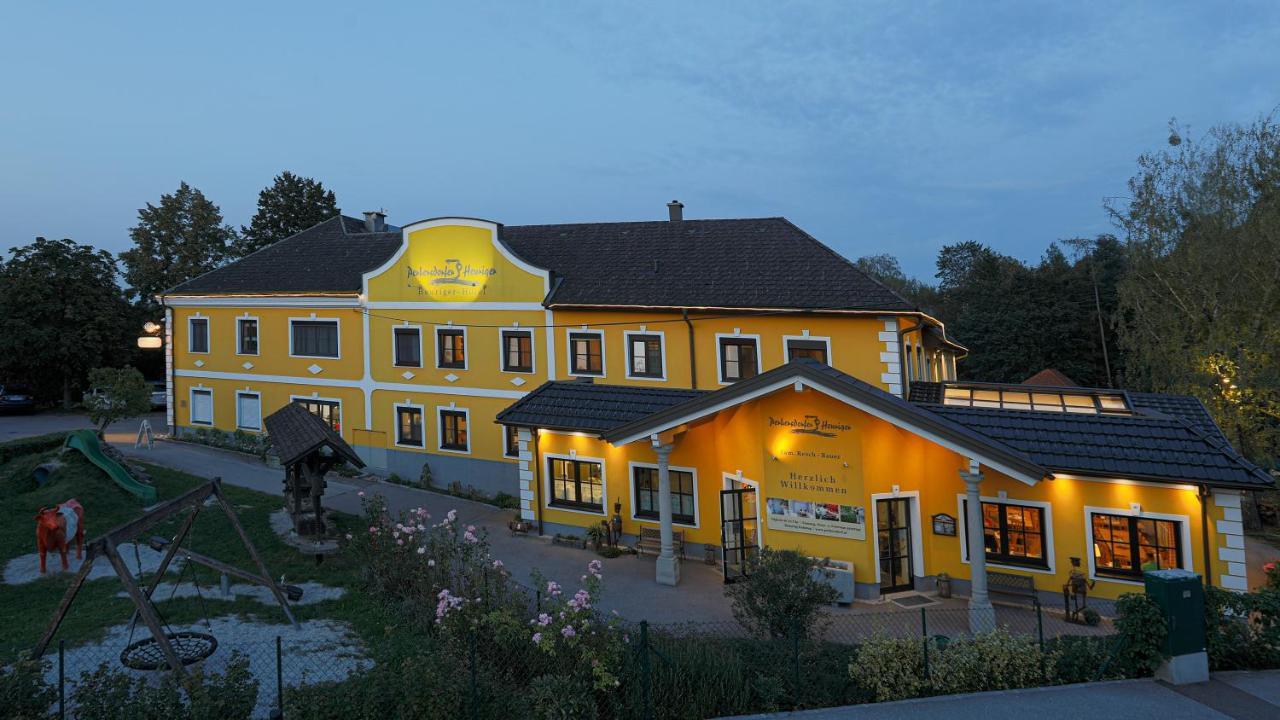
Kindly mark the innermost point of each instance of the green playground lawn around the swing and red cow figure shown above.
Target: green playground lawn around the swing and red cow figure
(28, 609)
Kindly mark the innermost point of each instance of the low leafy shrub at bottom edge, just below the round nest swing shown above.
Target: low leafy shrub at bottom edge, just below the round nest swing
(108, 694)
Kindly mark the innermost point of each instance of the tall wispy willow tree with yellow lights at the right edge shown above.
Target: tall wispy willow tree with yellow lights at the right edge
(1200, 304)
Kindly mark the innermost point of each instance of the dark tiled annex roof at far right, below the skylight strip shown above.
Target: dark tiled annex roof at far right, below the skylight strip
(1128, 446)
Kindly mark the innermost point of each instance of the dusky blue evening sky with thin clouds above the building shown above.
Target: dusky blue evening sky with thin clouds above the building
(880, 127)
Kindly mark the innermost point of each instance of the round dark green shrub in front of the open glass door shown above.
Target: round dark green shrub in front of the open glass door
(781, 598)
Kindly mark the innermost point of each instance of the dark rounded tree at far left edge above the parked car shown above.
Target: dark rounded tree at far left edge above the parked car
(62, 313)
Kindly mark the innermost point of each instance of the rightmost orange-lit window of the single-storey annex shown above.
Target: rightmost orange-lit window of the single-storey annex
(1131, 546)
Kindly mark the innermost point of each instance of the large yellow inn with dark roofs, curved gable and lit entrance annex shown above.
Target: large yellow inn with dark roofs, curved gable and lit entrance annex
(726, 385)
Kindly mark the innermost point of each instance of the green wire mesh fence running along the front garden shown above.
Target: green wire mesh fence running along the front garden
(683, 671)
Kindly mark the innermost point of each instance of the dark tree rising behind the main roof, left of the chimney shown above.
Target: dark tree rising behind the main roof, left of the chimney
(287, 207)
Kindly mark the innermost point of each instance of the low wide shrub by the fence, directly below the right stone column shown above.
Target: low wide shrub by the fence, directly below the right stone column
(990, 662)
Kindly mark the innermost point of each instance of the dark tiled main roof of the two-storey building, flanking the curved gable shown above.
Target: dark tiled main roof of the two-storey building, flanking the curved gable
(739, 263)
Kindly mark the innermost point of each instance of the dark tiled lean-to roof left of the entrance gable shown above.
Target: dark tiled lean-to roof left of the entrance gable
(574, 405)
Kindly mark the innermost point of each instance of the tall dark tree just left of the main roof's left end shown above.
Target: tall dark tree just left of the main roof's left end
(173, 243)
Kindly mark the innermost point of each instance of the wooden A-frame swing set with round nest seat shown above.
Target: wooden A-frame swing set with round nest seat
(166, 648)
